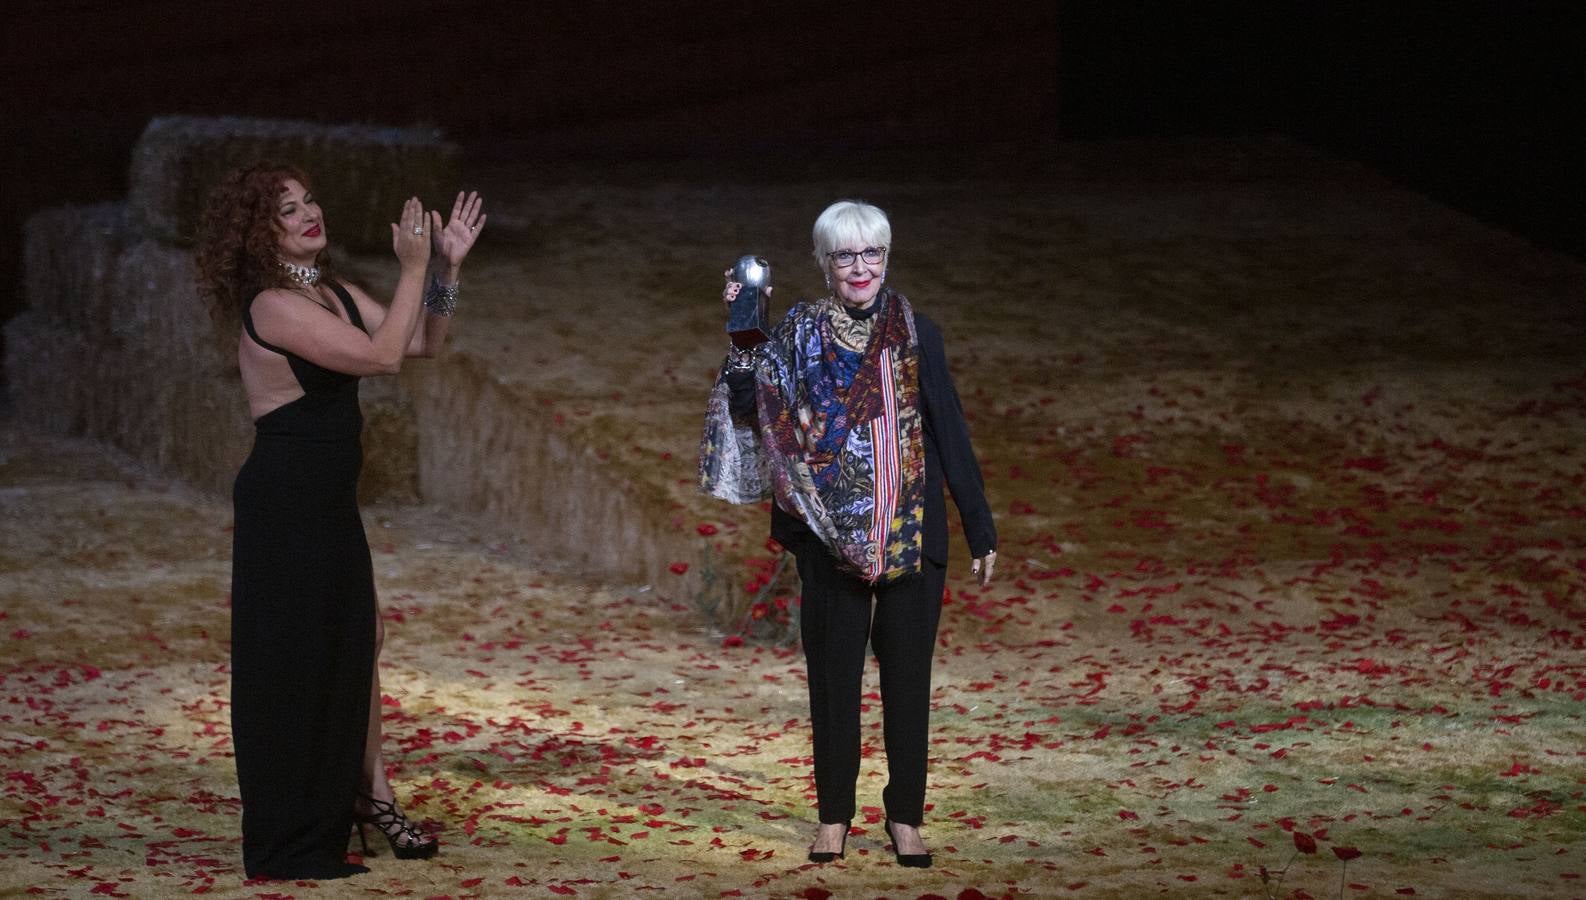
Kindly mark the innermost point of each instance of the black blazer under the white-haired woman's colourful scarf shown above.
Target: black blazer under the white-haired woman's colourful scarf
(949, 458)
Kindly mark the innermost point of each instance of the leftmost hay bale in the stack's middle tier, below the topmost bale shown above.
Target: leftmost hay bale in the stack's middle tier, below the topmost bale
(69, 258)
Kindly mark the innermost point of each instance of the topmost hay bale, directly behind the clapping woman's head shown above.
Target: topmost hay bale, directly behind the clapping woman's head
(362, 174)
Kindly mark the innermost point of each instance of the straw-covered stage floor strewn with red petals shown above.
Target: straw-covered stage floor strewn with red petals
(1289, 467)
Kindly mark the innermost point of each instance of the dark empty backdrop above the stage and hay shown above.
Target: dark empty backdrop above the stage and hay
(1473, 104)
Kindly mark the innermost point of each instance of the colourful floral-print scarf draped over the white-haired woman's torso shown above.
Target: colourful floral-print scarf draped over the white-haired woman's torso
(841, 442)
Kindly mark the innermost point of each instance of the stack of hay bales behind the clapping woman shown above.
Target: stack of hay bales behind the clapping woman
(118, 347)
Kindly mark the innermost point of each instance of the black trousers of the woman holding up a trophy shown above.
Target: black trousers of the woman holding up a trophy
(837, 621)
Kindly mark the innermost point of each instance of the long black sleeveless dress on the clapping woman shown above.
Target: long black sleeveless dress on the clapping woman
(302, 626)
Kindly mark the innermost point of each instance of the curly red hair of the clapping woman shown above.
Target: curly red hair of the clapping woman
(239, 240)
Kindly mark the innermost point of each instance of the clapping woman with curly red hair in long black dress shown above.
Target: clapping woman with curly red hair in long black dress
(305, 625)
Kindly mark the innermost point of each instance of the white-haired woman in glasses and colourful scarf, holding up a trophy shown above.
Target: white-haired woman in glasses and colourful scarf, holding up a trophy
(851, 420)
